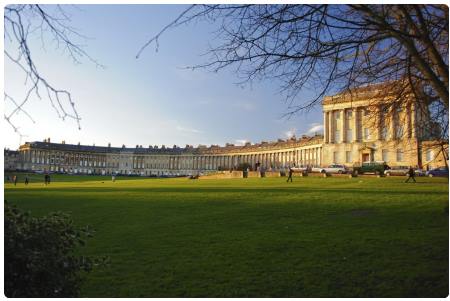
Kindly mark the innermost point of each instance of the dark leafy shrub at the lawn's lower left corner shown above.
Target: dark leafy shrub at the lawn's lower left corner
(40, 255)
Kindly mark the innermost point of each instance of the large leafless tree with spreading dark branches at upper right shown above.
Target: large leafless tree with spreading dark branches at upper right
(331, 49)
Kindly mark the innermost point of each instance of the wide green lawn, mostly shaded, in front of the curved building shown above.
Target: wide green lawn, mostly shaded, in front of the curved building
(316, 237)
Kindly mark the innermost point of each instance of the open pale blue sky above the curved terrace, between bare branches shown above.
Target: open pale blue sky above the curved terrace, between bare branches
(151, 100)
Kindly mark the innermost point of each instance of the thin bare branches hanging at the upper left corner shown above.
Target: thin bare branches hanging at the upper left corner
(52, 22)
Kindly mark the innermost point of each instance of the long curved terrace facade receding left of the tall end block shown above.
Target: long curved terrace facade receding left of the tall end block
(153, 161)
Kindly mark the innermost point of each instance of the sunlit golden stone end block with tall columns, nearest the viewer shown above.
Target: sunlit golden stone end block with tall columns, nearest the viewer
(368, 125)
